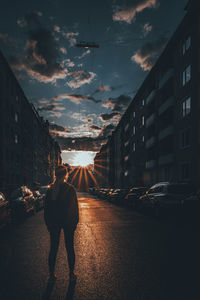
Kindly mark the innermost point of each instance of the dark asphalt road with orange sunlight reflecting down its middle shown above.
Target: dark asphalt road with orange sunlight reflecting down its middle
(120, 254)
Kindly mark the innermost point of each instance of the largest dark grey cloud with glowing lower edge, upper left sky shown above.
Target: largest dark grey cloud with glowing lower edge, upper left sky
(41, 60)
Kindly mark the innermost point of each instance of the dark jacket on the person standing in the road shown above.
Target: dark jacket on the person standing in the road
(61, 212)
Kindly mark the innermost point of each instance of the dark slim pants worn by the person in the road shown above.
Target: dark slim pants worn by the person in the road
(54, 244)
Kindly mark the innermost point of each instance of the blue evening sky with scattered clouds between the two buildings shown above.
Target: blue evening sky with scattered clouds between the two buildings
(83, 92)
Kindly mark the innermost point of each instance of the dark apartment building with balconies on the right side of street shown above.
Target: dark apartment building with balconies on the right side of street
(160, 131)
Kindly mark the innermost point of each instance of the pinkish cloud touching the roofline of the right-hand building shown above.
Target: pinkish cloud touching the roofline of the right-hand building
(147, 55)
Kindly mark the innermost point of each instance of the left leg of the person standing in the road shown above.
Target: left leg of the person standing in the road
(54, 244)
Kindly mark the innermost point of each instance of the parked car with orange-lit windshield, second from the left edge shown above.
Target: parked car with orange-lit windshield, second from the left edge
(22, 202)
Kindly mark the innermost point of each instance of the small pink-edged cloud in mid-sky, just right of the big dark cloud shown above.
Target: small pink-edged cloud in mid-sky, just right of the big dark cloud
(80, 78)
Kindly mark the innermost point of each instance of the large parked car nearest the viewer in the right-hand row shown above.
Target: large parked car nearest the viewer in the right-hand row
(165, 196)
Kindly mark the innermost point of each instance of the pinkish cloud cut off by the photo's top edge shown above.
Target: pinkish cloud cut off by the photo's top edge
(128, 14)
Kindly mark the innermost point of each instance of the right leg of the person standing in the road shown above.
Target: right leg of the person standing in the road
(69, 244)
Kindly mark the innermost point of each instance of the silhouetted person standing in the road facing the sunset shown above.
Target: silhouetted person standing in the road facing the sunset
(61, 212)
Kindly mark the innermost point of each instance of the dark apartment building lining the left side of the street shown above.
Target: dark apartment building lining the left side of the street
(28, 154)
